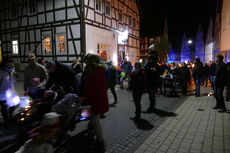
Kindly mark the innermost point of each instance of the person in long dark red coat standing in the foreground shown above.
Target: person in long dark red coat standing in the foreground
(95, 92)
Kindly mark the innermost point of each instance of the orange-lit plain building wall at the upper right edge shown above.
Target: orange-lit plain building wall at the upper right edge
(225, 30)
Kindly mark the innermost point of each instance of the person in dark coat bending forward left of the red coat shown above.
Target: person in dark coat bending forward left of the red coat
(61, 75)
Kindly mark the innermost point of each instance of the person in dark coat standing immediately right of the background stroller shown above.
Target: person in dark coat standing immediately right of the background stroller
(184, 77)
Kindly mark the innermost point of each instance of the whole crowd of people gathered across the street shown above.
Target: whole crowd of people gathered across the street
(94, 78)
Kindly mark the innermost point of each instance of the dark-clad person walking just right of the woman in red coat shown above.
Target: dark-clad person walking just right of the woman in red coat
(112, 80)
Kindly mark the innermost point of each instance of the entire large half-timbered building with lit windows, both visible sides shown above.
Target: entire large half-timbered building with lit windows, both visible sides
(62, 30)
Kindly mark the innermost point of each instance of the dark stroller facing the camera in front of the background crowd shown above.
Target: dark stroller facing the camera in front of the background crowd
(169, 85)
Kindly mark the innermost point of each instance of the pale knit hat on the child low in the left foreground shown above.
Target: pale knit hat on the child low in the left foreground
(50, 119)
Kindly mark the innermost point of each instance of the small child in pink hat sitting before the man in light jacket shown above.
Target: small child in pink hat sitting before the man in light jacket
(36, 92)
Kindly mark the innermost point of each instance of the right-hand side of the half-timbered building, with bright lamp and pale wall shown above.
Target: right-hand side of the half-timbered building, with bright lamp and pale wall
(112, 29)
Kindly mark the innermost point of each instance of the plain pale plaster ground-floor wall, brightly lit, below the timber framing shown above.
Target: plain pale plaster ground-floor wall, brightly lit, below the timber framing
(96, 35)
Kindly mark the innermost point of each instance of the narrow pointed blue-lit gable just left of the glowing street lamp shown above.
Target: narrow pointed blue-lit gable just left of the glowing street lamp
(185, 51)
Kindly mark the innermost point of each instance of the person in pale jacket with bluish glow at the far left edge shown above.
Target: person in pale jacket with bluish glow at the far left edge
(7, 82)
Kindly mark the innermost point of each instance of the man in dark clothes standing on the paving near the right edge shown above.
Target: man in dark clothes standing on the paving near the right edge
(220, 82)
